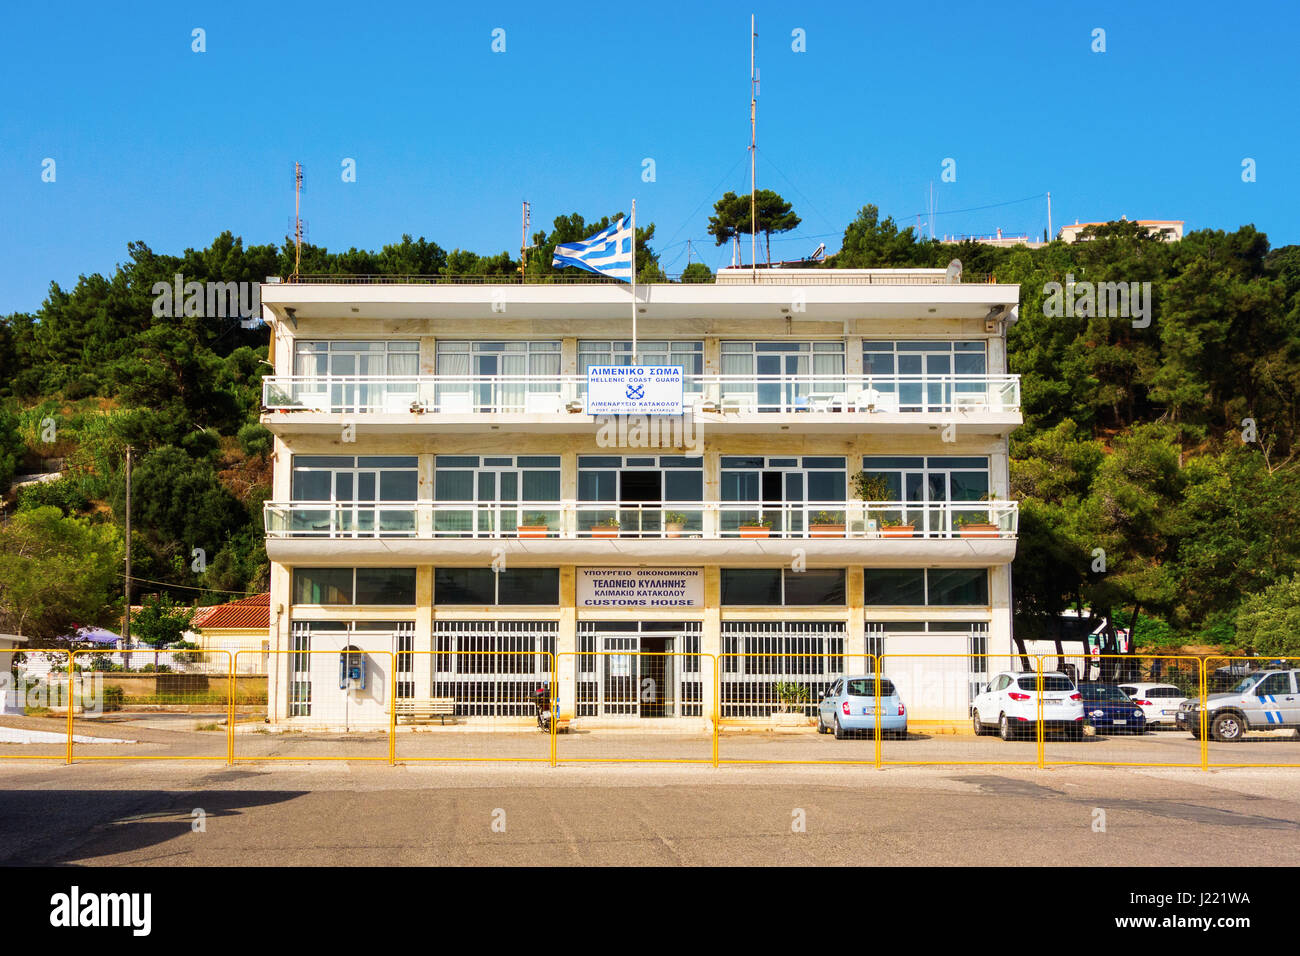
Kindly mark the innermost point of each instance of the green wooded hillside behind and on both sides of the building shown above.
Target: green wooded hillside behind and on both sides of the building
(1172, 449)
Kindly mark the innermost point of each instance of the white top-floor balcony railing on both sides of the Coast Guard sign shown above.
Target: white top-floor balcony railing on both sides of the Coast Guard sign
(452, 395)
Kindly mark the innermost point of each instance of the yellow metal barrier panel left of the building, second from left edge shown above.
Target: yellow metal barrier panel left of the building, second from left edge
(157, 704)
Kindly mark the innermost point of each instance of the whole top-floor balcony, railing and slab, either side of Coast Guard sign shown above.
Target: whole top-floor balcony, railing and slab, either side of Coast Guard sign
(814, 403)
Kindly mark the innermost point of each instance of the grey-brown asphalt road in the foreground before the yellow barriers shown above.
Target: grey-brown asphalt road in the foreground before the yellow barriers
(133, 814)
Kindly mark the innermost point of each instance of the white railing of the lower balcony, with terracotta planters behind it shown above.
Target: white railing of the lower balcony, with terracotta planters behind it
(712, 521)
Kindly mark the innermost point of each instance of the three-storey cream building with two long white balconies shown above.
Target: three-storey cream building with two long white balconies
(449, 522)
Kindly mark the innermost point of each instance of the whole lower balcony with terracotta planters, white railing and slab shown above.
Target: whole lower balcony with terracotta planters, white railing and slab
(467, 533)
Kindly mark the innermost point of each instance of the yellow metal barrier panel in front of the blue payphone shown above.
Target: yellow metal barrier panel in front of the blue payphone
(327, 704)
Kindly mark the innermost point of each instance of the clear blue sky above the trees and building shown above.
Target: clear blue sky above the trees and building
(159, 144)
